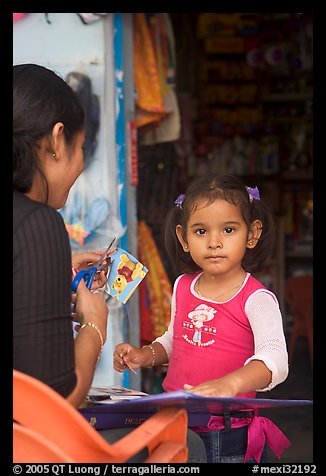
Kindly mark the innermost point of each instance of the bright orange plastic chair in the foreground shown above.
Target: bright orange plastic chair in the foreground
(38, 408)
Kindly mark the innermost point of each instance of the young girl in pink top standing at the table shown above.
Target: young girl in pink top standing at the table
(225, 338)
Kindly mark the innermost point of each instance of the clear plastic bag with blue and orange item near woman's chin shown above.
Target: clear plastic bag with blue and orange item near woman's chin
(89, 217)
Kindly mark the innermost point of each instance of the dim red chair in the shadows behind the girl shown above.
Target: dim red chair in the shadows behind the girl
(299, 298)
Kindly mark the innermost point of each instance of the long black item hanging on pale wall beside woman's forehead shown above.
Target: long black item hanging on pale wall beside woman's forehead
(82, 86)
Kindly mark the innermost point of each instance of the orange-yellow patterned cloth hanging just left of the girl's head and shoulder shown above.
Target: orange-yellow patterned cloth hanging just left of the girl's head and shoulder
(158, 286)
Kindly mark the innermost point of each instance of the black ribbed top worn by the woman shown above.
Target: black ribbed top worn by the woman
(43, 342)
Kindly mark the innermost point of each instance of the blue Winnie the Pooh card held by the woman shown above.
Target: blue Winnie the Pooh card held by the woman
(126, 273)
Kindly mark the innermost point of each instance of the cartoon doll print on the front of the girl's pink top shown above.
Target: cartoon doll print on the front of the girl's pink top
(198, 325)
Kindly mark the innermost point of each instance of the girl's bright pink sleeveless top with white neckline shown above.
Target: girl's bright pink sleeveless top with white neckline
(210, 339)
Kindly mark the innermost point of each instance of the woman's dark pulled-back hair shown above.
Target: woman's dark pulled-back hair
(41, 98)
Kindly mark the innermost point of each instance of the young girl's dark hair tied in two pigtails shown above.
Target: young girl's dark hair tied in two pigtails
(208, 189)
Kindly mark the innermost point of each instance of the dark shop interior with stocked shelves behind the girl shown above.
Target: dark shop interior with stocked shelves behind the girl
(244, 84)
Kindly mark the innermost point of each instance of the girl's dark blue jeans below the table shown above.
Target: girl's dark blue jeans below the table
(228, 446)
